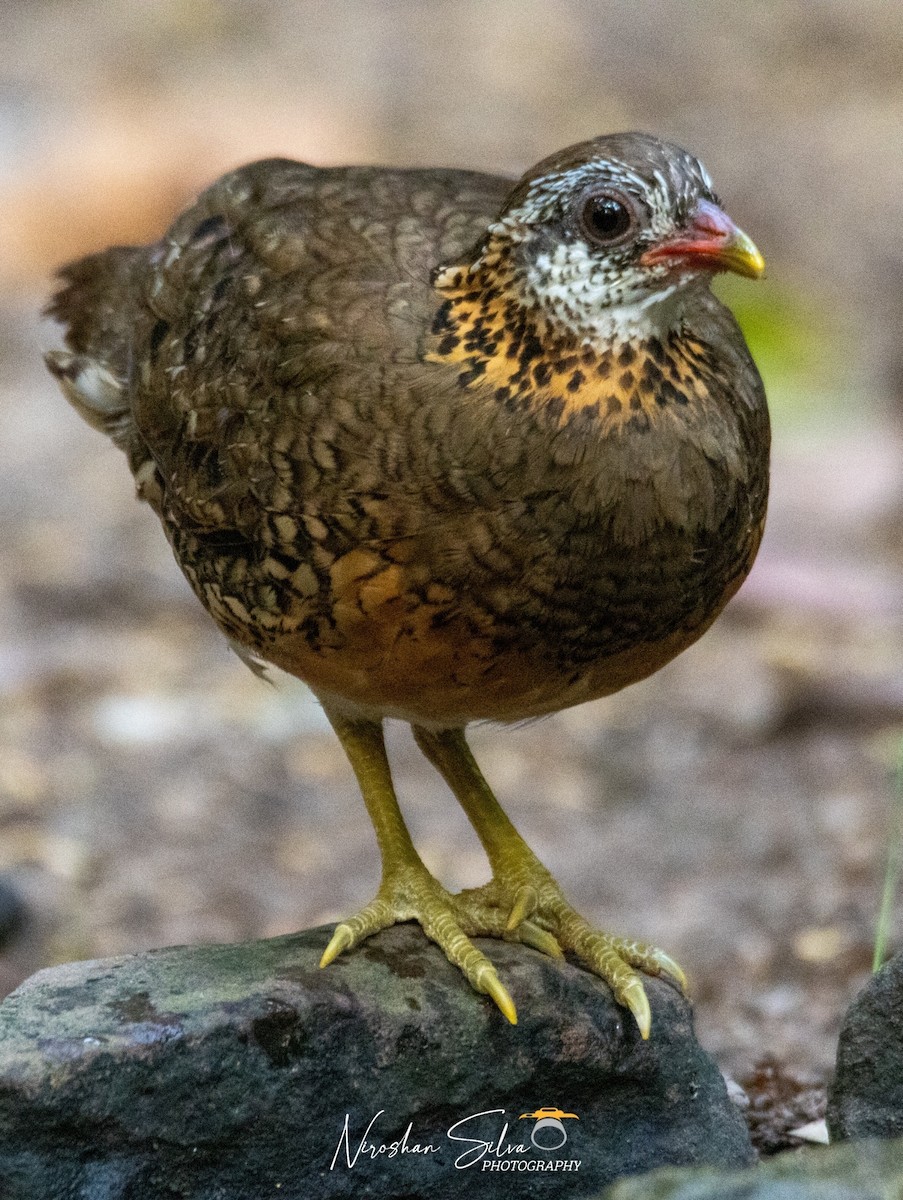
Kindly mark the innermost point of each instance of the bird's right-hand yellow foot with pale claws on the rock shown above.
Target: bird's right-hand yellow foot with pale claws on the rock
(527, 905)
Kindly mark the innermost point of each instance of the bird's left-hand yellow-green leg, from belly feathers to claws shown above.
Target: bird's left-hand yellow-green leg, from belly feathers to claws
(408, 891)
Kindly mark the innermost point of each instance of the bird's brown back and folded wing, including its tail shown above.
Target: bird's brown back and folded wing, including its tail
(246, 337)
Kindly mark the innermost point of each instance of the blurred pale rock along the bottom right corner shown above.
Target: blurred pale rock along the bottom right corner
(862, 1171)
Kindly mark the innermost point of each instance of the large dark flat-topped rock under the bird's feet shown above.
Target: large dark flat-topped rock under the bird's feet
(244, 1071)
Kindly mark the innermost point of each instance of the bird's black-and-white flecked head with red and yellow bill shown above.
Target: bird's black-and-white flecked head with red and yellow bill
(605, 241)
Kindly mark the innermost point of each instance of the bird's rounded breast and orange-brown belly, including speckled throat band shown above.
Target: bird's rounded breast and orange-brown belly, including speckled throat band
(551, 523)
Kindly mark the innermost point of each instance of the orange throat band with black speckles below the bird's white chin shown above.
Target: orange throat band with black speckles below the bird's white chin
(483, 327)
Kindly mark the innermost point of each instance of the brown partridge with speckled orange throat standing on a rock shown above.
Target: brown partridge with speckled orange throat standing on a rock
(450, 448)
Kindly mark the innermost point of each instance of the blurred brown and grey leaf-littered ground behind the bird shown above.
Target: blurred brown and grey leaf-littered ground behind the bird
(735, 809)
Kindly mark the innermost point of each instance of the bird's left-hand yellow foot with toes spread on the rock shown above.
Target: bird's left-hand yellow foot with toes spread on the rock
(412, 895)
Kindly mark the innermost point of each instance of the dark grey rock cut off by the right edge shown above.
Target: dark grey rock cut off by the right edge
(866, 1097)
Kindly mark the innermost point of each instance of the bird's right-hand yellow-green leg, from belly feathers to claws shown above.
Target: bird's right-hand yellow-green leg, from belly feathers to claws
(527, 892)
